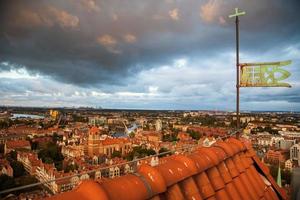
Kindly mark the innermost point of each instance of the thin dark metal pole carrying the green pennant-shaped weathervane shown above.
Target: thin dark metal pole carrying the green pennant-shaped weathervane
(237, 75)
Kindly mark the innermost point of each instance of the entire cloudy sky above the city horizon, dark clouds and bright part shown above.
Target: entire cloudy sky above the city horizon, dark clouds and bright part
(158, 54)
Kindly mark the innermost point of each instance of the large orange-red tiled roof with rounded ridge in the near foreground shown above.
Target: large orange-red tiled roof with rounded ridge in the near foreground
(227, 170)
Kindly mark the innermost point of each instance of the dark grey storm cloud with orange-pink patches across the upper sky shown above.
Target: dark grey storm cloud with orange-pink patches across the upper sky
(85, 43)
